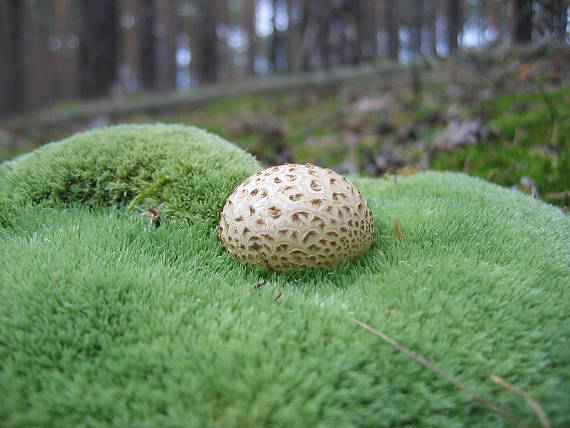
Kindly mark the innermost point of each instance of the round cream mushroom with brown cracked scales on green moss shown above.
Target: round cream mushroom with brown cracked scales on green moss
(295, 217)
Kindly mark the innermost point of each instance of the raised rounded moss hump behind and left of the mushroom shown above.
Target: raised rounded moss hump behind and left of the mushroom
(188, 171)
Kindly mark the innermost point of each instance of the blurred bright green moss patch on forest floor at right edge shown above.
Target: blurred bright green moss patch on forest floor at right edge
(534, 141)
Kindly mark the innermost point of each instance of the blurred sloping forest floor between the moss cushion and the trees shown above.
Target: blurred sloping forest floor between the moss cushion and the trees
(502, 116)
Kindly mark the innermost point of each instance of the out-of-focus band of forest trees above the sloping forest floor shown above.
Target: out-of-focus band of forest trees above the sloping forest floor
(57, 50)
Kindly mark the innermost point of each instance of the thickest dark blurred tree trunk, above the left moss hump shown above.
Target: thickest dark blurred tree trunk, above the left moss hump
(99, 47)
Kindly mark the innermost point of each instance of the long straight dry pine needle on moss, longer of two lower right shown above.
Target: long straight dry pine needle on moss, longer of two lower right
(431, 366)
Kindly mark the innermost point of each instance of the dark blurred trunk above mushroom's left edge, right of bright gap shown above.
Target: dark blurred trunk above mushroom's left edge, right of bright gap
(207, 42)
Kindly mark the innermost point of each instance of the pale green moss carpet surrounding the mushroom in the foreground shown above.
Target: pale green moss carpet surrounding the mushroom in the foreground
(108, 321)
